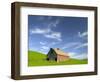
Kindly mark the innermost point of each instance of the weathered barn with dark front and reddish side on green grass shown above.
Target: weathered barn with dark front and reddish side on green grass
(57, 55)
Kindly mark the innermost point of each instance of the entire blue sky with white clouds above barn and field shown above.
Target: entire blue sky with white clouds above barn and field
(67, 33)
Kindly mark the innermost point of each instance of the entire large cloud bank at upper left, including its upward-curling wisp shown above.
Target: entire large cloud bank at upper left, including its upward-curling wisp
(47, 32)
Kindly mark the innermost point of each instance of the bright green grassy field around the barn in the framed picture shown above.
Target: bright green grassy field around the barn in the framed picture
(39, 59)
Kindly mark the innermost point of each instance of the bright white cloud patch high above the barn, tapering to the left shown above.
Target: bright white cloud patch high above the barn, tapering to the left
(54, 35)
